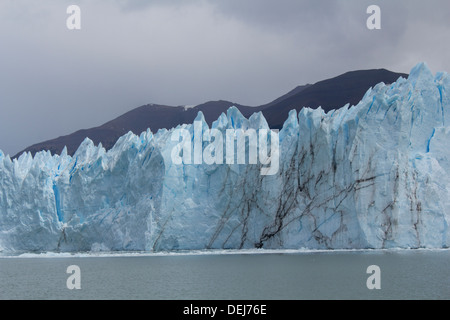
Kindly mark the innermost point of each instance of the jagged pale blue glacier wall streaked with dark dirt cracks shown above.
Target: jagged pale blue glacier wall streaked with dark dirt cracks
(374, 175)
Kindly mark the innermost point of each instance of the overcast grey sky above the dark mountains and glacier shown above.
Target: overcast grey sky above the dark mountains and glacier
(54, 81)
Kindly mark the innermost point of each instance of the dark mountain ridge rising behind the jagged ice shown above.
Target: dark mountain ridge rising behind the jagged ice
(330, 94)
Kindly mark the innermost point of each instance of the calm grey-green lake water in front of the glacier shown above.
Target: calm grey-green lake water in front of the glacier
(317, 275)
